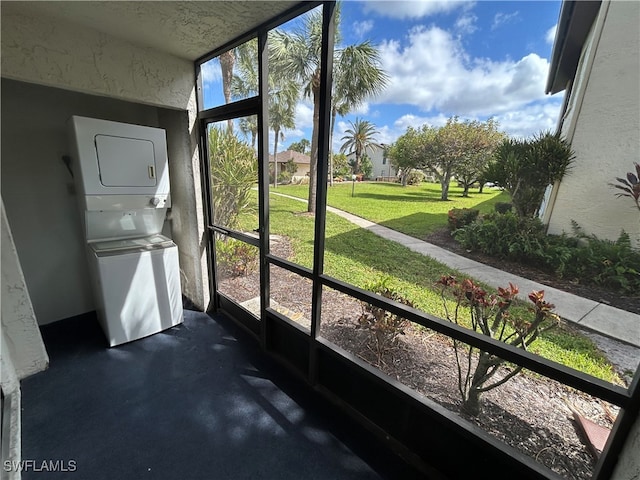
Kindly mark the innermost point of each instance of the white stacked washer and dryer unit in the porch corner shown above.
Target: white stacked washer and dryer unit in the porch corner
(122, 181)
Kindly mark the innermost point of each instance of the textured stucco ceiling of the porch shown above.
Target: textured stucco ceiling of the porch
(186, 30)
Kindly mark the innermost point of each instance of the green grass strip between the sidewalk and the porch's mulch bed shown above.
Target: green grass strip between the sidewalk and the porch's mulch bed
(358, 256)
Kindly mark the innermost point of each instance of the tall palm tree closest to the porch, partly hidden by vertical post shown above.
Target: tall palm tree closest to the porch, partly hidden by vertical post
(298, 53)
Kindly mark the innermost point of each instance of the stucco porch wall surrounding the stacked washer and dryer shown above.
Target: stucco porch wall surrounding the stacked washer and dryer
(53, 69)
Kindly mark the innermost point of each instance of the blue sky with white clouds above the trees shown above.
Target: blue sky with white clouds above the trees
(444, 57)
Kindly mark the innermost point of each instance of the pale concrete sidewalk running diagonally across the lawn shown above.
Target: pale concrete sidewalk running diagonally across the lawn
(601, 318)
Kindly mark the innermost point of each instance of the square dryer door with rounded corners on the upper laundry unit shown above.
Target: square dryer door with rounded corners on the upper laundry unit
(125, 162)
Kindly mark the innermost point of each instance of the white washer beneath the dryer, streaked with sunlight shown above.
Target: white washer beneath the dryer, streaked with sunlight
(137, 285)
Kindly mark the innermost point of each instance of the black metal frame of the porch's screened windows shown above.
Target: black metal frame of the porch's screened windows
(277, 333)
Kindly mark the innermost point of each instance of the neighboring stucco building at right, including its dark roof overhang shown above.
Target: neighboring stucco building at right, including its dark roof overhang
(596, 61)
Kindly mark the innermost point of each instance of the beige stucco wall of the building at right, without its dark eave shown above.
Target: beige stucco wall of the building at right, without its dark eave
(603, 127)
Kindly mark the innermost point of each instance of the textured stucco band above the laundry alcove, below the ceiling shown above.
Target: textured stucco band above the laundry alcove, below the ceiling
(60, 54)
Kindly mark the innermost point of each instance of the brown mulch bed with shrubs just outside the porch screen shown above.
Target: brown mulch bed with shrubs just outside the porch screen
(530, 413)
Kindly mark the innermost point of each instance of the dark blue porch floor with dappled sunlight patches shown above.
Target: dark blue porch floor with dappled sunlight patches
(199, 401)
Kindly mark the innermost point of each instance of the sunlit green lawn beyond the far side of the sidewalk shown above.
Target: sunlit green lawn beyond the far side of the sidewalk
(413, 210)
